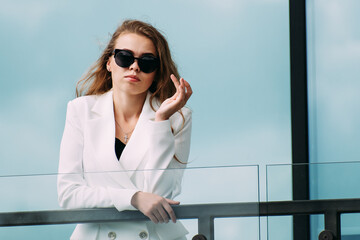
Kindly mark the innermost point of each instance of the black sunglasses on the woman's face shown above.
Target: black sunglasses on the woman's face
(147, 63)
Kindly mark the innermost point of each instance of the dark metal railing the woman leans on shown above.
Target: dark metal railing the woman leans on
(205, 213)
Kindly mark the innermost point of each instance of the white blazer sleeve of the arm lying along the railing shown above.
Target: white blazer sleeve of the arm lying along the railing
(73, 190)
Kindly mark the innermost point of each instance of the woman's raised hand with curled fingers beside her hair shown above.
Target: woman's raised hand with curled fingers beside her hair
(176, 102)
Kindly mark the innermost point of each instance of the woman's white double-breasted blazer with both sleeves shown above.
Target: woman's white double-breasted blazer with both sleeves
(91, 176)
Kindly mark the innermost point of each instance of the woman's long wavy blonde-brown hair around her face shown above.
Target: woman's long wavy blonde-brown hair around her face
(97, 80)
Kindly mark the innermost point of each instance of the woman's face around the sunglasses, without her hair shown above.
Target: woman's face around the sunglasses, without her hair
(131, 79)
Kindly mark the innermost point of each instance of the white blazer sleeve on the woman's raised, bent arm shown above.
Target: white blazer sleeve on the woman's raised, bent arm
(168, 154)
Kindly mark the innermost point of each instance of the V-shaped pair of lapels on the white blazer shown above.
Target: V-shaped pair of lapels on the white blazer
(101, 133)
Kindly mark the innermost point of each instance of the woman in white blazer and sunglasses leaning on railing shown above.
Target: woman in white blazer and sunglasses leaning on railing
(130, 118)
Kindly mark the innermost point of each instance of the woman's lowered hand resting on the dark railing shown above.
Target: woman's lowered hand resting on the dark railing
(153, 206)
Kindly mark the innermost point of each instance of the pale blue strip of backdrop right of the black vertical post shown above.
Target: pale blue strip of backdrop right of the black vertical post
(334, 103)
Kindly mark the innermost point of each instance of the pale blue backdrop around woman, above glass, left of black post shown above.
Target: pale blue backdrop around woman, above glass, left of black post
(234, 53)
